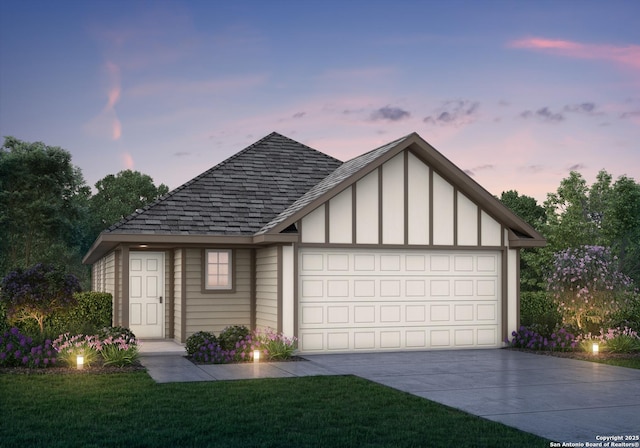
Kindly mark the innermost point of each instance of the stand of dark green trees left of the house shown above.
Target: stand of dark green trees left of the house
(49, 215)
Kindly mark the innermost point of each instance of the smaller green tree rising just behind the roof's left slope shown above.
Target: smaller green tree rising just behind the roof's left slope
(120, 195)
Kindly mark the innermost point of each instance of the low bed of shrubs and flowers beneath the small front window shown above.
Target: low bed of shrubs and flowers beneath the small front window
(206, 348)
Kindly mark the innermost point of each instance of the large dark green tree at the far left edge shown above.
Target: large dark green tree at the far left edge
(43, 206)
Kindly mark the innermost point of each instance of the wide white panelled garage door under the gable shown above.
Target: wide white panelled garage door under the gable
(361, 300)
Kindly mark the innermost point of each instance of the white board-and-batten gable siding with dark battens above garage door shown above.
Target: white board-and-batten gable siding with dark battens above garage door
(402, 202)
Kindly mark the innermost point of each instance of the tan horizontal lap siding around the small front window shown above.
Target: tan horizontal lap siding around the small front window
(213, 311)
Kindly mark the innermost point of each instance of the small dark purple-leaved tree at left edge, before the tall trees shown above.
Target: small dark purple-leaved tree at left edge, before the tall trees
(37, 292)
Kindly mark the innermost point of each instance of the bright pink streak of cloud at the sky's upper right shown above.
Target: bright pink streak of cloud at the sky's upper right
(628, 55)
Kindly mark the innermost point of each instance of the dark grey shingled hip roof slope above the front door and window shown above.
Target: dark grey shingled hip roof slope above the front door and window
(238, 196)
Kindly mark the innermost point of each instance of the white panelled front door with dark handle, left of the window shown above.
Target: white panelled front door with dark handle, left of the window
(146, 291)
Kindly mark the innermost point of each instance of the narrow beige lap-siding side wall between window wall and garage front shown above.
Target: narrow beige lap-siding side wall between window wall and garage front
(267, 288)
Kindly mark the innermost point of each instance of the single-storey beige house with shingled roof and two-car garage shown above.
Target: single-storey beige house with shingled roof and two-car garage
(396, 249)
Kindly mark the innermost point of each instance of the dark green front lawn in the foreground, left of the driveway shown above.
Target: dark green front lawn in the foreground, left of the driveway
(130, 410)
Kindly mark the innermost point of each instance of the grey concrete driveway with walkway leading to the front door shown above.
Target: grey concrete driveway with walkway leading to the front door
(564, 400)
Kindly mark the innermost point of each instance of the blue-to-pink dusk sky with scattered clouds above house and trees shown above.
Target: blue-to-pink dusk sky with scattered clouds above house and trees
(515, 93)
